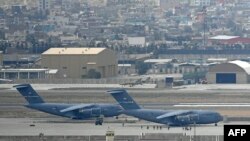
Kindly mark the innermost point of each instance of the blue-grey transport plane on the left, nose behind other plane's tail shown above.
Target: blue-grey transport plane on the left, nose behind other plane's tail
(73, 111)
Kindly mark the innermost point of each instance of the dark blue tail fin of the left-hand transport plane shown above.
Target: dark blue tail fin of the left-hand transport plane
(29, 93)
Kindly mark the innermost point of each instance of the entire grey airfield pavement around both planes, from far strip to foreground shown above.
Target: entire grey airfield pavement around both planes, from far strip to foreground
(16, 120)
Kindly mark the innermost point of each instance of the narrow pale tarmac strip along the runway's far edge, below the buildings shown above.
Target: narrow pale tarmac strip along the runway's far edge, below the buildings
(196, 87)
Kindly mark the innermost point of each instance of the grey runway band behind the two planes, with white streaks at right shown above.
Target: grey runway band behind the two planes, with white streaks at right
(229, 100)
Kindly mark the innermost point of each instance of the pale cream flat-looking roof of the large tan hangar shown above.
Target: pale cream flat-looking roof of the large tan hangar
(74, 51)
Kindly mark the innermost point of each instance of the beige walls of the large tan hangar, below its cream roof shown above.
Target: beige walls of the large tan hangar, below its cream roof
(77, 66)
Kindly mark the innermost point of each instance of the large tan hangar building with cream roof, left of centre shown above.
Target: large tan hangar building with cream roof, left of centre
(81, 62)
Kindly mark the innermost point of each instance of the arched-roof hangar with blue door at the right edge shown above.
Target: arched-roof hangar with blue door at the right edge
(233, 72)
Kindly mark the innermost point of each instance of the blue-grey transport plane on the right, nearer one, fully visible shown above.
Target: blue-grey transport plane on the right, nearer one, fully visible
(168, 117)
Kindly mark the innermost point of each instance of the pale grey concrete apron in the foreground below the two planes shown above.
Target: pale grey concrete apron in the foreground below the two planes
(22, 127)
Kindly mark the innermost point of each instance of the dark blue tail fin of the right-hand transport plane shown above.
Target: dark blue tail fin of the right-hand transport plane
(123, 98)
